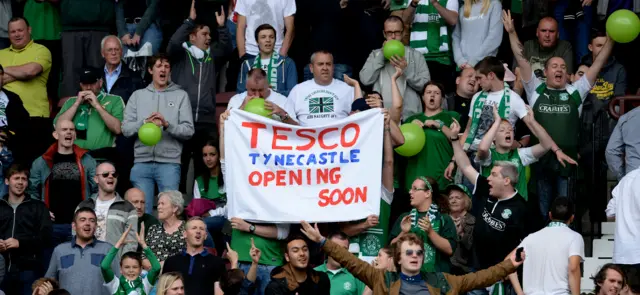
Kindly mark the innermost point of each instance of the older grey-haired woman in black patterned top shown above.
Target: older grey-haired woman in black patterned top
(166, 239)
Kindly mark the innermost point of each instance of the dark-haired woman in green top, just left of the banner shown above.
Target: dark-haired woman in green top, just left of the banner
(209, 195)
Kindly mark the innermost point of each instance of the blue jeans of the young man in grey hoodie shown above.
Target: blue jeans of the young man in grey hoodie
(145, 176)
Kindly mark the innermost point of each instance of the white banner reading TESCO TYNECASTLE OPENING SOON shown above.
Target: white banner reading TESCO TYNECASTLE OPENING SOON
(284, 174)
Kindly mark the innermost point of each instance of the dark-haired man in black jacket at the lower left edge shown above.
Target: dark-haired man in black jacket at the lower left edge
(24, 227)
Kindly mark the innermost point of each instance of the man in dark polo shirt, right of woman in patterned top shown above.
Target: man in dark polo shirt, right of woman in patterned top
(199, 269)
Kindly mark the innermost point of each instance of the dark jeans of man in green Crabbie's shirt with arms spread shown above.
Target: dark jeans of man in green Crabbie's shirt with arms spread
(549, 186)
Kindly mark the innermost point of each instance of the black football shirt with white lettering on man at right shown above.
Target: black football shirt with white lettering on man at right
(500, 225)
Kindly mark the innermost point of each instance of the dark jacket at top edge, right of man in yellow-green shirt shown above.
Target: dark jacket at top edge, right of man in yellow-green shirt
(87, 15)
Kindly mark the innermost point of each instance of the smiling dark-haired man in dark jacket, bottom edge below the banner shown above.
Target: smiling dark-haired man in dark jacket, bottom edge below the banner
(297, 276)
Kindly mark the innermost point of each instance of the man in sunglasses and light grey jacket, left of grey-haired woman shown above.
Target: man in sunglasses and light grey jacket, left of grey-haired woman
(114, 214)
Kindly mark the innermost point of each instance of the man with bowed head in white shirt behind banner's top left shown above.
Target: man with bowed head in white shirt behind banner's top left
(257, 87)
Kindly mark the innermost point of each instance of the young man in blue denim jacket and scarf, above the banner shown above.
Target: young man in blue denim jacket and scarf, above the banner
(281, 70)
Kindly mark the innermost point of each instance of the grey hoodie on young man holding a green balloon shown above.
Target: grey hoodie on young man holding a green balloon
(173, 103)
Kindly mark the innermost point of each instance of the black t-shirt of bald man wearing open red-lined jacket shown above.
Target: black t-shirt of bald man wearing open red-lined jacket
(65, 187)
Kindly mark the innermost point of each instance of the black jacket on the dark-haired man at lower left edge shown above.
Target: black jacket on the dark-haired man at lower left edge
(30, 224)
